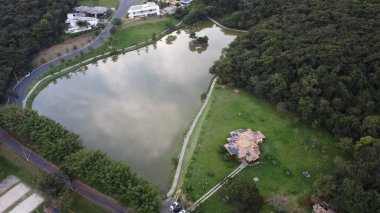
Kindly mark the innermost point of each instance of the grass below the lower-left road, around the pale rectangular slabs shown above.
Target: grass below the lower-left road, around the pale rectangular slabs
(12, 164)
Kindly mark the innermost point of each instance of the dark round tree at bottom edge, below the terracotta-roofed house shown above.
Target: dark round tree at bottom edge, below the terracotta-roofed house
(243, 195)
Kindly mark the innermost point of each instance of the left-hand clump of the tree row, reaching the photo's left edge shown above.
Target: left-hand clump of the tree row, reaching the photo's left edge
(49, 138)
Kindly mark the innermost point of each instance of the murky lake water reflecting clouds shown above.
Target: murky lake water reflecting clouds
(136, 106)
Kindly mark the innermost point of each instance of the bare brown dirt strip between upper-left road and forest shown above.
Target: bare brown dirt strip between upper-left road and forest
(63, 48)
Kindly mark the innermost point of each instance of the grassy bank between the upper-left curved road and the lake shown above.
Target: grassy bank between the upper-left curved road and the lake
(127, 38)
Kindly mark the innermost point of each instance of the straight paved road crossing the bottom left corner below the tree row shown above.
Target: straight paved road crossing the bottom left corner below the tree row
(77, 186)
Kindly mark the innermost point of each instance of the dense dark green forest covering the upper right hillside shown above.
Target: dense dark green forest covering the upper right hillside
(318, 58)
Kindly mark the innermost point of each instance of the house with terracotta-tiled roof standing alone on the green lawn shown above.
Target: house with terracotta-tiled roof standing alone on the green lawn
(245, 144)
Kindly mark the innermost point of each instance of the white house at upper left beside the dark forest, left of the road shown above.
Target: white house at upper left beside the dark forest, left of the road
(73, 18)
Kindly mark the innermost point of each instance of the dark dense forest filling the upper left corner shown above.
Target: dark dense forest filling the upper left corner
(25, 28)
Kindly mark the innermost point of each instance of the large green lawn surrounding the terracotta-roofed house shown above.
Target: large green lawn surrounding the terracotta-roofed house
(289, 149)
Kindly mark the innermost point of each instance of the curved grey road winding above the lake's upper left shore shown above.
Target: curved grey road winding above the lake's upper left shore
(22, 86)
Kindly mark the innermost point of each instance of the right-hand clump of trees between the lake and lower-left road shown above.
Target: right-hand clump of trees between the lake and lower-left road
(113, 178)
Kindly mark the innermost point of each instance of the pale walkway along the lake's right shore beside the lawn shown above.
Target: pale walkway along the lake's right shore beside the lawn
(186, 140)
